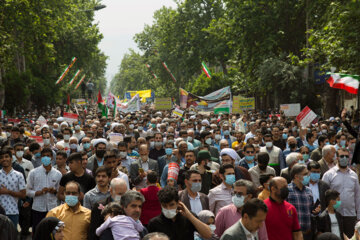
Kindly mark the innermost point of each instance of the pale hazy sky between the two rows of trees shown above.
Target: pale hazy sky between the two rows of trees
(119, 22)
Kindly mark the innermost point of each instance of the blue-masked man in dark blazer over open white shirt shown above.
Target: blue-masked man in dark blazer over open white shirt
(193, 199)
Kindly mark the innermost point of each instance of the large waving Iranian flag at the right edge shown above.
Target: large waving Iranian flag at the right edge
(349, 83)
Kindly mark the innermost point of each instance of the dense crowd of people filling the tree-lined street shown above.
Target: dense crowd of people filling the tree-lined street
(155, 176)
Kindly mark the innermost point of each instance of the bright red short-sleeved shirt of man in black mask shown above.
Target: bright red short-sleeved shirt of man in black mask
(281, 220)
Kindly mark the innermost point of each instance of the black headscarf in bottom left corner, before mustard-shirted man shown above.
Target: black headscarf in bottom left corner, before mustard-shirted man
(46, 227)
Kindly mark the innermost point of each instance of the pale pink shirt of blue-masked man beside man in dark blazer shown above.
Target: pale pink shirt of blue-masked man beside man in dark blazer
(219, 196)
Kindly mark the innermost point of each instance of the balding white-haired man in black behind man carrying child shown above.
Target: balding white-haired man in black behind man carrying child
(118, 187)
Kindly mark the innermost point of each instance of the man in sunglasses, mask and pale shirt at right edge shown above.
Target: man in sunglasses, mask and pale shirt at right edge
(344, 180)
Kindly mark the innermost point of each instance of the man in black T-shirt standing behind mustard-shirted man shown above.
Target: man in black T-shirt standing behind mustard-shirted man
(78, 174)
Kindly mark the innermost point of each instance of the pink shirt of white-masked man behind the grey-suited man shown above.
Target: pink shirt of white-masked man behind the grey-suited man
(228, 216)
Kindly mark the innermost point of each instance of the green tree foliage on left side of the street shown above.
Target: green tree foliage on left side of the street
(37, 40)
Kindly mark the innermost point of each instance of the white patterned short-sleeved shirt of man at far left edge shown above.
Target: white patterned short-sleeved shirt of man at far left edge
(13, 181)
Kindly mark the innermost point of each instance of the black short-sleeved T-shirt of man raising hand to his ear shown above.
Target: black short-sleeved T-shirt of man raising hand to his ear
(179, 229)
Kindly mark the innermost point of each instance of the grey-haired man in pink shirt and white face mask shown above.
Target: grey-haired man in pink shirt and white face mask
(227, 216)
